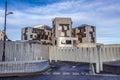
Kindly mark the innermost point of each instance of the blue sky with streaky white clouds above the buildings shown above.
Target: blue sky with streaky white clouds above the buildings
(104, 14)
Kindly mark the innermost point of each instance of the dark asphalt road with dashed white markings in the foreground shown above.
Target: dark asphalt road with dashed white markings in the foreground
(66, 71)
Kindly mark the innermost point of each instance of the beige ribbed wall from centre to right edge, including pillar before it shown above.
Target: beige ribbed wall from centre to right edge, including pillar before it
(96, 55)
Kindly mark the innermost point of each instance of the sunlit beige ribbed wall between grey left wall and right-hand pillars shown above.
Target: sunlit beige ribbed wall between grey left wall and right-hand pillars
(77, 54)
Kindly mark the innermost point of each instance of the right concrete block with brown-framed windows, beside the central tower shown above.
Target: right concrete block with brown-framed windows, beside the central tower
(85, 34)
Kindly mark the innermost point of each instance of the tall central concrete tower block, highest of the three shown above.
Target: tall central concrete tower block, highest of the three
(62, 32)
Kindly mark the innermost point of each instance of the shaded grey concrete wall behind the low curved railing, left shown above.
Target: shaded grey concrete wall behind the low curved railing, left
(21, 51)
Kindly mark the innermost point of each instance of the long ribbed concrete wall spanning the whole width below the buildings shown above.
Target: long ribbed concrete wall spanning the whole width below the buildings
(21, 51)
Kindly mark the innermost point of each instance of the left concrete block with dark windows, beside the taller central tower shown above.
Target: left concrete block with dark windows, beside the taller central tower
(41, 33)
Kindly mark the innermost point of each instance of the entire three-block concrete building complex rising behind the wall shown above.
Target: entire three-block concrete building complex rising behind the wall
(61, 33)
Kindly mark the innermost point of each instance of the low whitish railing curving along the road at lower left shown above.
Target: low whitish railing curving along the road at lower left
(23, 66)
